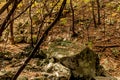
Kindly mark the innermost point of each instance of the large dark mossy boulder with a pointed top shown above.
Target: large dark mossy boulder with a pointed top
(83, 66)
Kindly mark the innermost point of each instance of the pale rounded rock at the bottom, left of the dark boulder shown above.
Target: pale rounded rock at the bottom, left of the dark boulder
(56, 71)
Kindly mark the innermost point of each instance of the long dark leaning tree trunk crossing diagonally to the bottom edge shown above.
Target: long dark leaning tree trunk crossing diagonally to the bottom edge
(40, 41)
